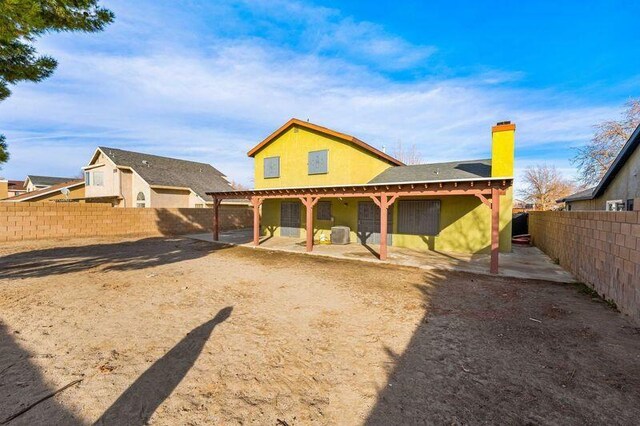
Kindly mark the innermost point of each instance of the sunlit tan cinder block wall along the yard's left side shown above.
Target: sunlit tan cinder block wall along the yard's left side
(34, 221)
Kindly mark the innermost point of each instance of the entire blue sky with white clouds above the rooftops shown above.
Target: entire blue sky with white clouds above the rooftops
(208, 80)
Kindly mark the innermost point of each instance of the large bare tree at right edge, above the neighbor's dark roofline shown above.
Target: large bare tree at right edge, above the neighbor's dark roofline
(594, 159)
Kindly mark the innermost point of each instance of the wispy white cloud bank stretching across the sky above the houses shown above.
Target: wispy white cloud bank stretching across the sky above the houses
(212, 102)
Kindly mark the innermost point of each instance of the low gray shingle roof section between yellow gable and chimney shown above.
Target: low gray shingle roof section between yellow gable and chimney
(455, 170)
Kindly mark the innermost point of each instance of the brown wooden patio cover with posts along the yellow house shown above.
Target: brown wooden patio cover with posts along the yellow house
(383, 195)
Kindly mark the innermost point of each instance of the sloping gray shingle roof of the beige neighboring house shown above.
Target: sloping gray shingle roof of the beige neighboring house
(165, 171)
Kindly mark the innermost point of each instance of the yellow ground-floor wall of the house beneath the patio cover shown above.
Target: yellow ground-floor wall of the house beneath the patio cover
(465, 224)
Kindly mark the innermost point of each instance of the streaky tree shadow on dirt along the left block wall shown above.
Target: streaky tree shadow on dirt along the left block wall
(121, 256)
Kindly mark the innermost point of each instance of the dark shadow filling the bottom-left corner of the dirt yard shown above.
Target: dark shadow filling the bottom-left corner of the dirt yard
(22, 383)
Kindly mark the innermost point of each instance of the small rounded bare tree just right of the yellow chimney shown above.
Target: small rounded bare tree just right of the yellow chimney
(544, 185)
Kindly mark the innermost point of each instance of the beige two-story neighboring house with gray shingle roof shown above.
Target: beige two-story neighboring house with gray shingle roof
(134, 179)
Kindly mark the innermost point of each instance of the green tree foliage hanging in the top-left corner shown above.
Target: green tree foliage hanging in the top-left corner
(22, 21)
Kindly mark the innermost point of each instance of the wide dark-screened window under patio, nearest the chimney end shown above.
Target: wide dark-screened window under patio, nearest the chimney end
(419, 217)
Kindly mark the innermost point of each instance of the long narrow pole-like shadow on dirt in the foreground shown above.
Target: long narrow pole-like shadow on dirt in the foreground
(137, 404)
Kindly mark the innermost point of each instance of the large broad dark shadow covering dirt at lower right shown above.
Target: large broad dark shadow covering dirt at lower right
(492, 350)
